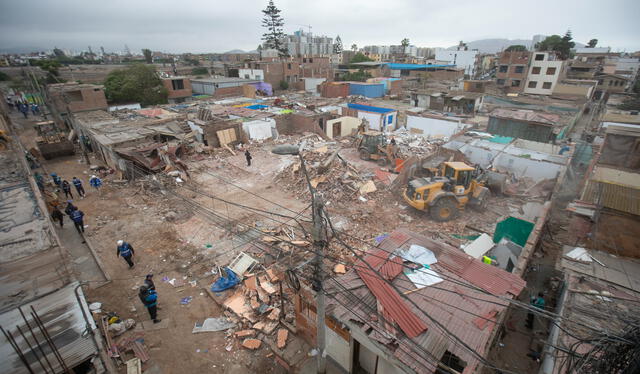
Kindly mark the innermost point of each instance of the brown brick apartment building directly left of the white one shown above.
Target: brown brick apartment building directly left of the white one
(512, 70)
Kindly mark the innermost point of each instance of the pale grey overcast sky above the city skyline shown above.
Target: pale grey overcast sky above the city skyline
(222, 25)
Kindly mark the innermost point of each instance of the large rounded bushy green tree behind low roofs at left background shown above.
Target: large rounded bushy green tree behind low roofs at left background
(136, 83)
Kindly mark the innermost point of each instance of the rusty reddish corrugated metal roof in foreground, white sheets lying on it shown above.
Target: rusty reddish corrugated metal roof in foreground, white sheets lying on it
(452, 263)
